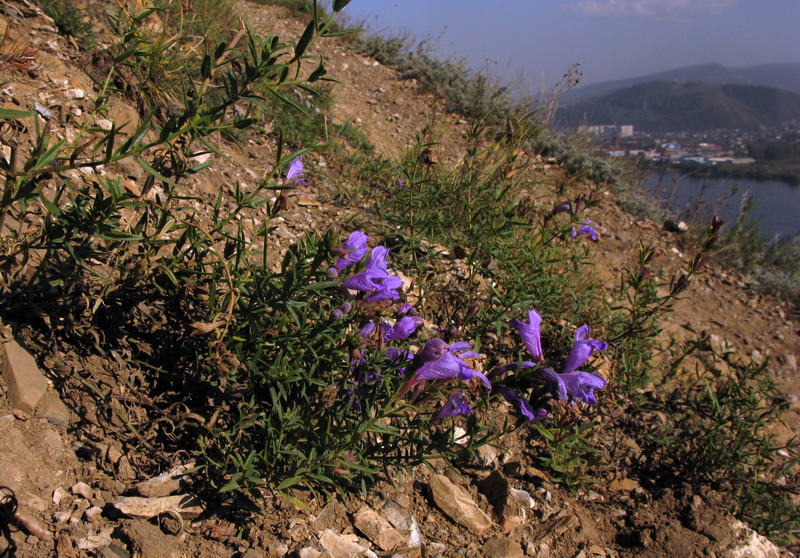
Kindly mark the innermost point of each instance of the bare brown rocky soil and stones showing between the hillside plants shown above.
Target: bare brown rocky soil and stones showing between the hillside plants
(69, 488)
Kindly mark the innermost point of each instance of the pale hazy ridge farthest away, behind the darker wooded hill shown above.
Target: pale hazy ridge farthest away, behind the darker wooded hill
(781, 76)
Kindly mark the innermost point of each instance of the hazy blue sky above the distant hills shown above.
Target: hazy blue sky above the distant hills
(612, 39)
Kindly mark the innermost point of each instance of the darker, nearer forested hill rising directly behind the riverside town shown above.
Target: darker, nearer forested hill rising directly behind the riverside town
(662, 106)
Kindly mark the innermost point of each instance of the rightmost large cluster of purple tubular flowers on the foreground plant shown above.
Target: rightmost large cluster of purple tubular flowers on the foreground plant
(571, 383)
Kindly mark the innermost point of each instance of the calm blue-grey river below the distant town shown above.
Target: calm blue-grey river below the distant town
(775, 204)
